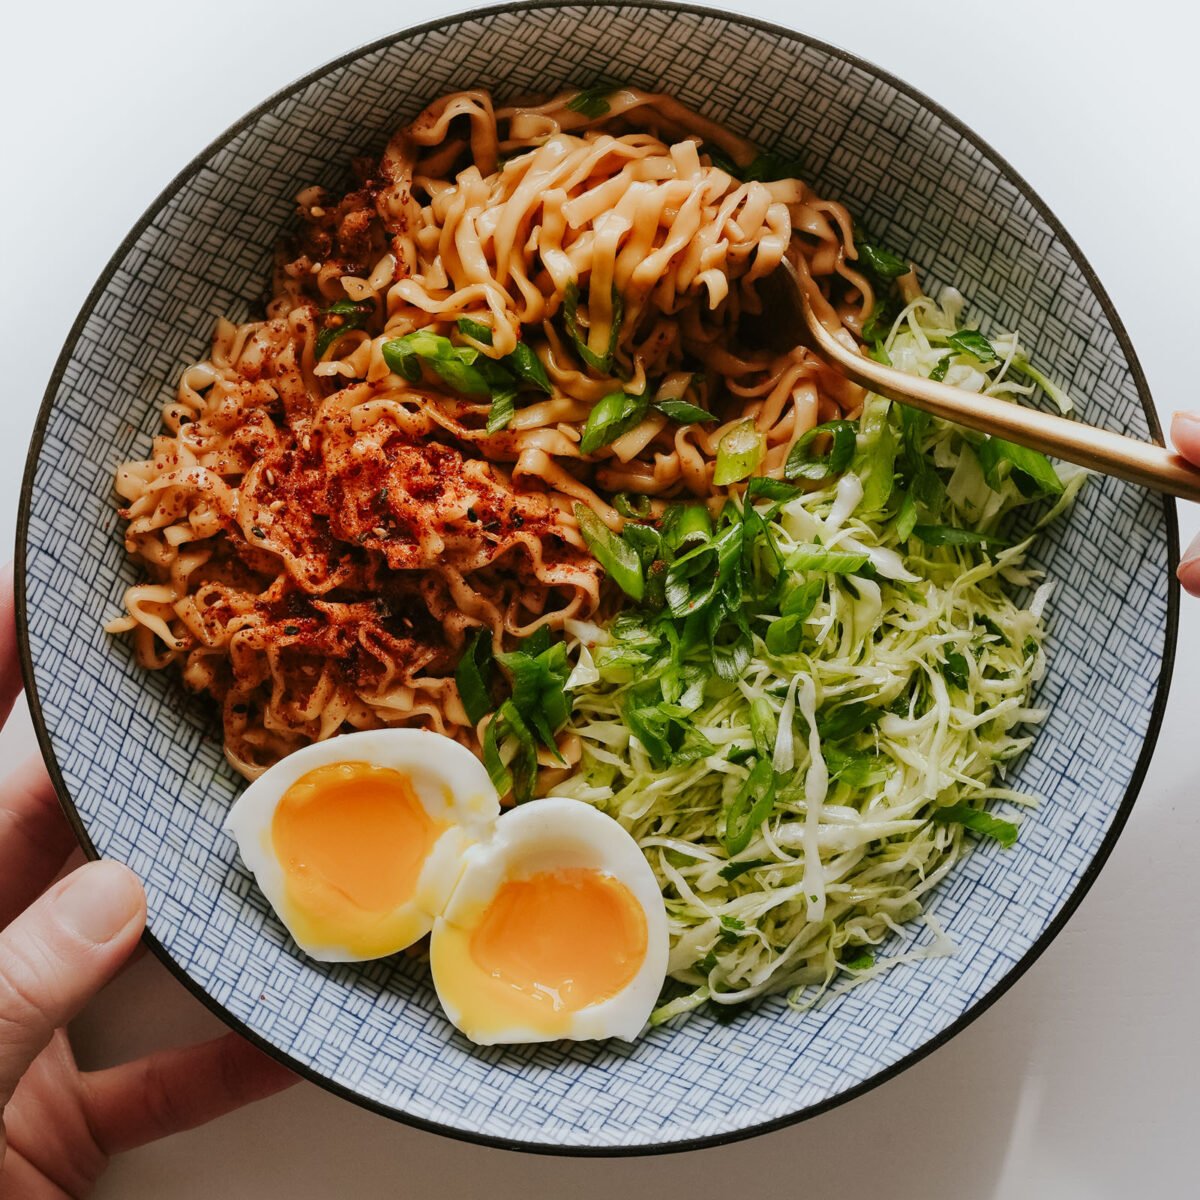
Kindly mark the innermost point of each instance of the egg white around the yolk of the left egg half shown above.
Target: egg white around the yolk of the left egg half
(451, 783)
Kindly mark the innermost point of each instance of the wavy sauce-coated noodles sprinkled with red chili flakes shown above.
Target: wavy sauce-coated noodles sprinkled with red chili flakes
(321, 536)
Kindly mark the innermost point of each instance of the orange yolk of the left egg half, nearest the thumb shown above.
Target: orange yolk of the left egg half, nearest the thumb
(352, 839)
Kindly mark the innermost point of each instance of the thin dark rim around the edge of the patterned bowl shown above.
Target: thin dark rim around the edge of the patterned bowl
(977, 1009)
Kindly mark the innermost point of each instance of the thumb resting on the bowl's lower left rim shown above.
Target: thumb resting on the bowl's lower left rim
(59, 953)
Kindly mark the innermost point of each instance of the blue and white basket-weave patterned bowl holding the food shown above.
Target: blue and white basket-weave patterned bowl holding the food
(140, 766)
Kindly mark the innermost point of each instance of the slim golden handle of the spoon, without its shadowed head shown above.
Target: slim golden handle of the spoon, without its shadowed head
(1113, 454)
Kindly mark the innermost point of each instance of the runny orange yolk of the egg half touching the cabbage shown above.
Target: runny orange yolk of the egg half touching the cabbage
(544, 949)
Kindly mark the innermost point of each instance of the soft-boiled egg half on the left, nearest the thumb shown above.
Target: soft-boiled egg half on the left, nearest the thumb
(359, 842)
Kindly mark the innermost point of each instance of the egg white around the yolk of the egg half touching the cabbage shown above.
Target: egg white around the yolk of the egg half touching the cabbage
(547, 836)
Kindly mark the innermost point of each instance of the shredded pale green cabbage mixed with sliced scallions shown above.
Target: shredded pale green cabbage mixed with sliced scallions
(890, 700)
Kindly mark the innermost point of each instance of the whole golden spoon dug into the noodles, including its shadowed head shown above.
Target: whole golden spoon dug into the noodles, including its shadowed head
(791, 315)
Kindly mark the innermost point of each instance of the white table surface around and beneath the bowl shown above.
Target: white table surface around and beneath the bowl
(1084, 1082)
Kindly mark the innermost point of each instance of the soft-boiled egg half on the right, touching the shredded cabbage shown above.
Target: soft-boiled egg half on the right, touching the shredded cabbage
(555, 931)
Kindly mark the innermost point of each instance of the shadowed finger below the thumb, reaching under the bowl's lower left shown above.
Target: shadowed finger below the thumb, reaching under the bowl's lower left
(178, 1090)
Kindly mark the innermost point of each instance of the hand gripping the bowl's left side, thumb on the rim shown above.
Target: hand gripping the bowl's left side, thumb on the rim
(58, 949)
